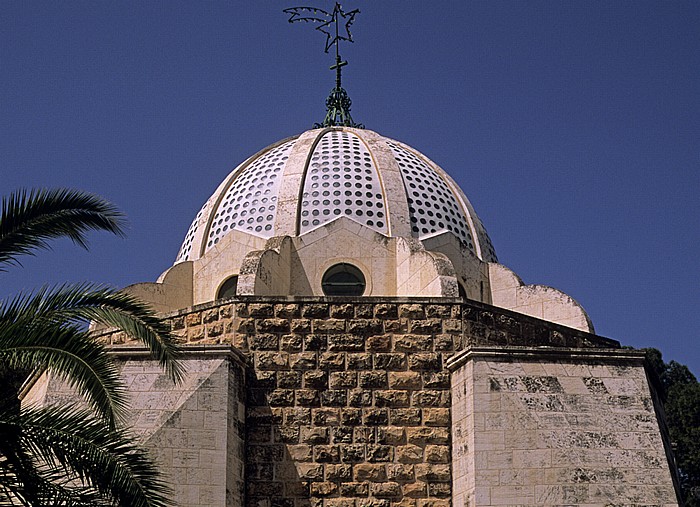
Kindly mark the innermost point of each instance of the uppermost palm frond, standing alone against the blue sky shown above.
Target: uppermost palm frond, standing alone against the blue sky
(28, 220)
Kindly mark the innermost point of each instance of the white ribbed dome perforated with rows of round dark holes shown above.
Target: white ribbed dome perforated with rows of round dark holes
(302, 183)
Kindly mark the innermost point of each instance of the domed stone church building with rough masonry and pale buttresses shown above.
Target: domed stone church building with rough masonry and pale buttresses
(352, 341)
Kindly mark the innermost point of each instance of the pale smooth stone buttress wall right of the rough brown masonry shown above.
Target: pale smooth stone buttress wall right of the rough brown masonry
(565, 427)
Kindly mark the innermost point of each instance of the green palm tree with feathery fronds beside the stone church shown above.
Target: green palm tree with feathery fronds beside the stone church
(71, 455)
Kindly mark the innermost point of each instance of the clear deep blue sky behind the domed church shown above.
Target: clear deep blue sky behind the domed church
(573, 127)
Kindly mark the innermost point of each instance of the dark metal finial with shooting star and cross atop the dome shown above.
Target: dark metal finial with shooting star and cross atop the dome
(338, 102)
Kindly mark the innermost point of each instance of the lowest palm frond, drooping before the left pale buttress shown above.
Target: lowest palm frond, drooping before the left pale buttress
(69, 445)
